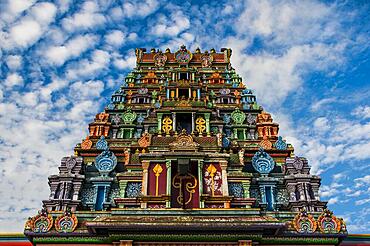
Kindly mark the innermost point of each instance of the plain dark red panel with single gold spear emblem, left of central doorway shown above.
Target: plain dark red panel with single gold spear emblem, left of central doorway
(162, 180)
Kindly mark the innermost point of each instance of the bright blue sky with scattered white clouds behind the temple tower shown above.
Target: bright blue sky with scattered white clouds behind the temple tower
(307, 61)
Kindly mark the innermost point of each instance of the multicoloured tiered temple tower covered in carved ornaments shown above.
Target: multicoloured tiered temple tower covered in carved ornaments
(184, 155)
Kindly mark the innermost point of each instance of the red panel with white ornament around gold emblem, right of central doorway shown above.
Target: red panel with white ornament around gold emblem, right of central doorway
(217, 180)
